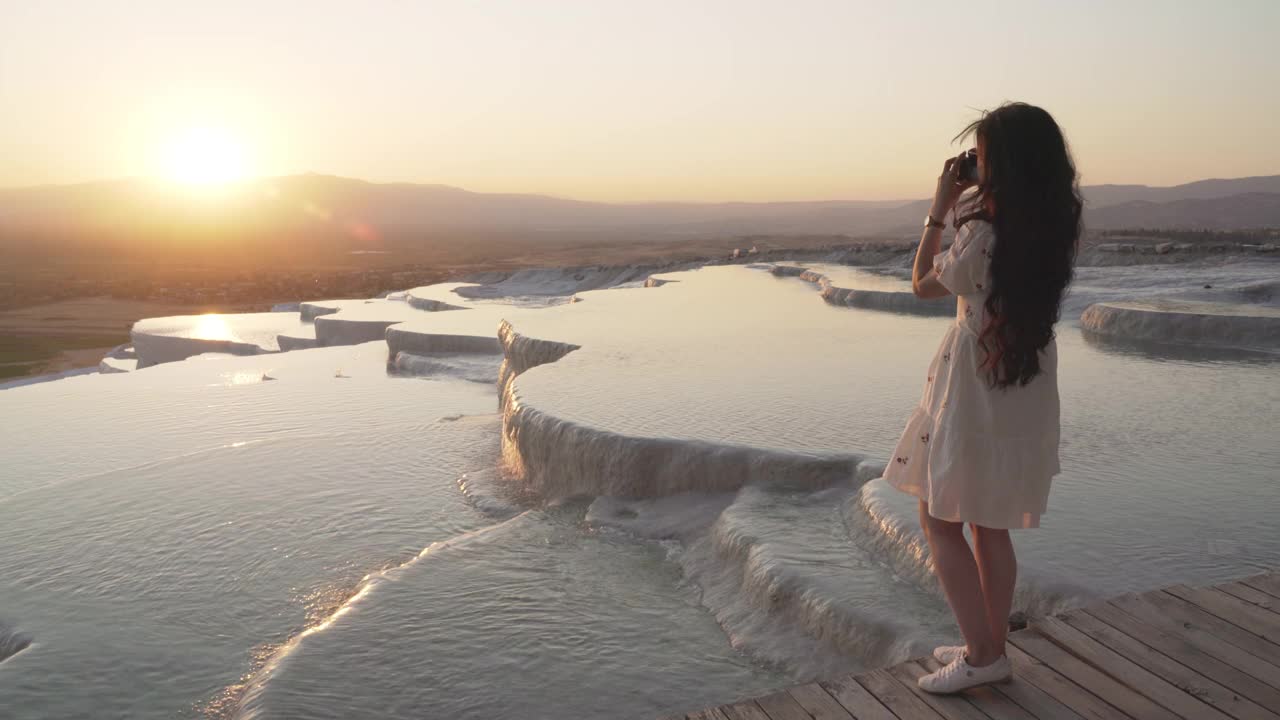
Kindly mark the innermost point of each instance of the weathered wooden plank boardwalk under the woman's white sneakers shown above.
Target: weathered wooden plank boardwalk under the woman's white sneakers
(1174, 654)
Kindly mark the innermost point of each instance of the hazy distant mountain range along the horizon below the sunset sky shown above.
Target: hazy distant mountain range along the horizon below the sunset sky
(326, 204)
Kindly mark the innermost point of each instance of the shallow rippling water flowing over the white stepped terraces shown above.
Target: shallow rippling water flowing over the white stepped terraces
(287, 535)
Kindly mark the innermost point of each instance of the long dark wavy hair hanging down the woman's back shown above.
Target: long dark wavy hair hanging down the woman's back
(1030, 194)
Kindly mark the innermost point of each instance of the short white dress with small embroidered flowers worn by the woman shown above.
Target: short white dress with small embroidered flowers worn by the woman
(973, 453)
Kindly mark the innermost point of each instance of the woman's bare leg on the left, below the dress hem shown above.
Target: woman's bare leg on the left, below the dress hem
(958, 572)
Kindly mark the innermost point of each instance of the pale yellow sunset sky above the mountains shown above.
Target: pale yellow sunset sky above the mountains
(636, 101)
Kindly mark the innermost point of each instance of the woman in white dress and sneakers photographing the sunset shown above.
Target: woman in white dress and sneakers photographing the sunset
(982, 446)
